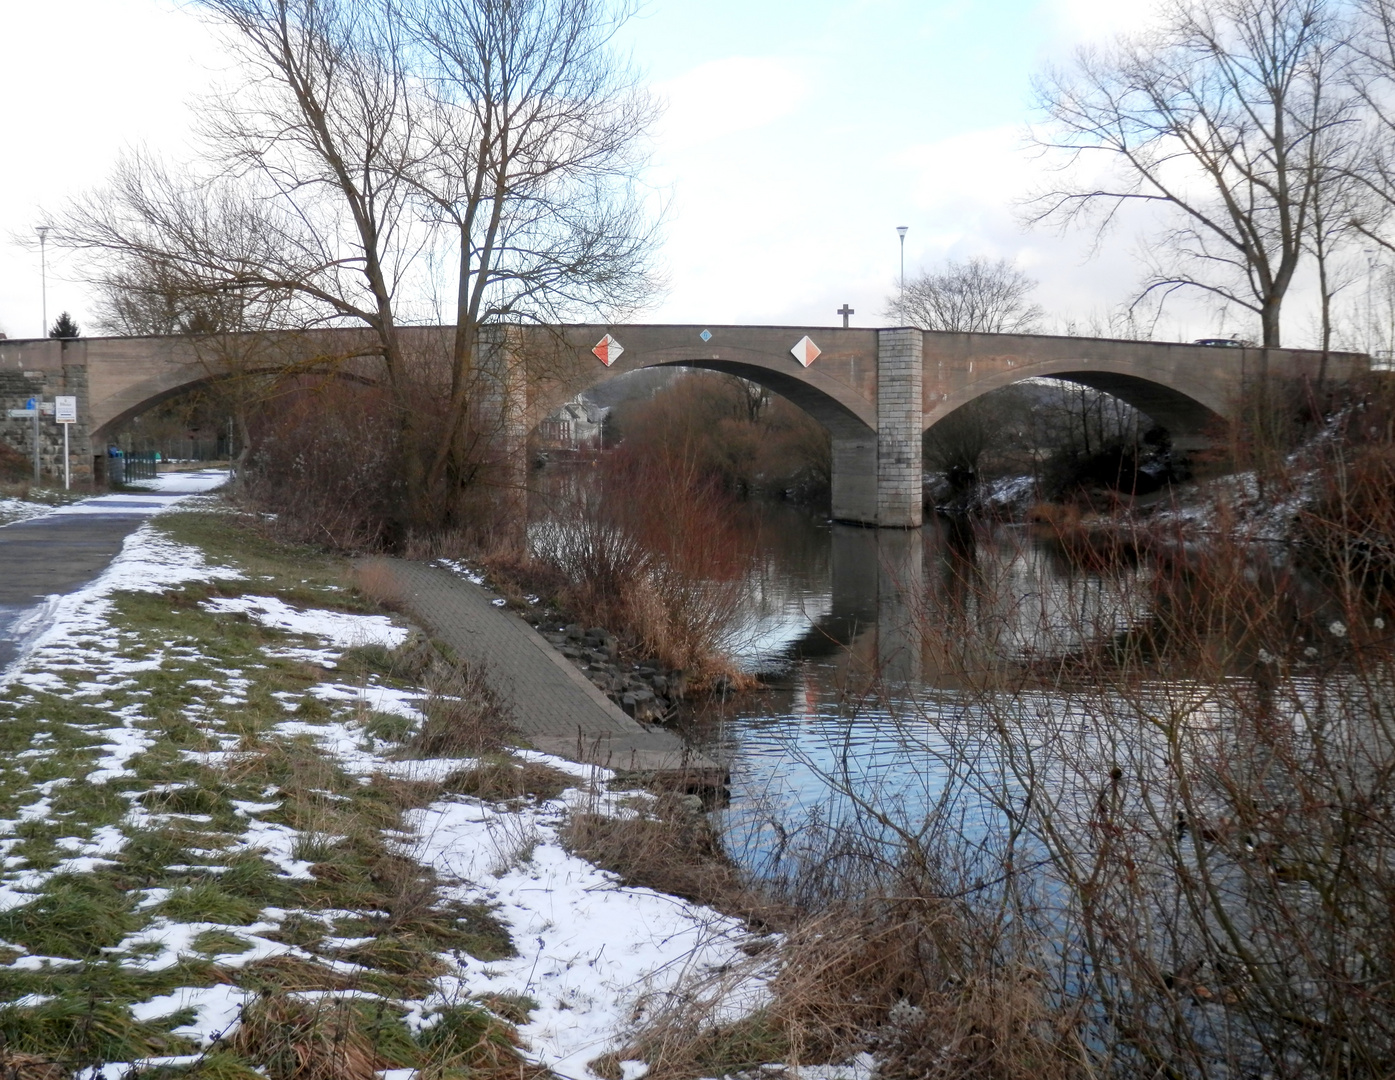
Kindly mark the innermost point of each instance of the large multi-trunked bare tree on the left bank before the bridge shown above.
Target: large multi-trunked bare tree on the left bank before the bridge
(369, 140)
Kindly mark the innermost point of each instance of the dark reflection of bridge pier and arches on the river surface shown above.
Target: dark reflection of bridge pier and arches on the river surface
(887, 606)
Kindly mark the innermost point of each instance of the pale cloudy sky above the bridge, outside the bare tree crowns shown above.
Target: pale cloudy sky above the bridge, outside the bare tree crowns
(799, 136)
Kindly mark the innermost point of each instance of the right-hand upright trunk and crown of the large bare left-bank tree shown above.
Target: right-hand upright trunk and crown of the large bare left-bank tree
(528, 151)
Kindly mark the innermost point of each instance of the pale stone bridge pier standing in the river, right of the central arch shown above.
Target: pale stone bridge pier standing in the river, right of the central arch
(877, 478)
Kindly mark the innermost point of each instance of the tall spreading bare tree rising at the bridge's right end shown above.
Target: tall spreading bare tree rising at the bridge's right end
(1221, 119)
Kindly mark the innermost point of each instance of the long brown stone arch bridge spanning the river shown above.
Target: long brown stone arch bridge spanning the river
(874, 390)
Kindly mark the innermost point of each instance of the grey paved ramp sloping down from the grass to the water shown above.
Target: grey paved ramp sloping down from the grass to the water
(556, 707)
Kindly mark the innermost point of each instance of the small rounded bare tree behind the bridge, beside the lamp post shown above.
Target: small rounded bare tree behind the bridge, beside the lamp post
(979, 297)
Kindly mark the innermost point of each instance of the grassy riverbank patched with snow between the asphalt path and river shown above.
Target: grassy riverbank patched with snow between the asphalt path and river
(218, 850)
